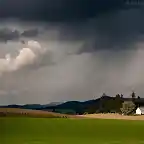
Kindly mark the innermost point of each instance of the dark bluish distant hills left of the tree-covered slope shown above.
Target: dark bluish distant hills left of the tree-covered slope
(72, 106)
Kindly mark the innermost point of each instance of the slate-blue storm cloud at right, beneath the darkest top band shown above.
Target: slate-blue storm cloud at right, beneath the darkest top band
(117, 31)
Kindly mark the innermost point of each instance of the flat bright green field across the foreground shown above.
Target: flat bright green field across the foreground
(70, 131)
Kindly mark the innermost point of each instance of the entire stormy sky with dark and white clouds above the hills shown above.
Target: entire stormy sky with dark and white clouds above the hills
(55, 51)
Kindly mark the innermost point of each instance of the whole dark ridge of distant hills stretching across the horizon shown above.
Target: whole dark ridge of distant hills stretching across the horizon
(78, 107)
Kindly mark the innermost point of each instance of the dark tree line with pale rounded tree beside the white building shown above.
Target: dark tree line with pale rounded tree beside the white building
(116, 104)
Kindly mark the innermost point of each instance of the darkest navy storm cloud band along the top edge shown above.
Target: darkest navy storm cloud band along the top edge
(57, 10)
